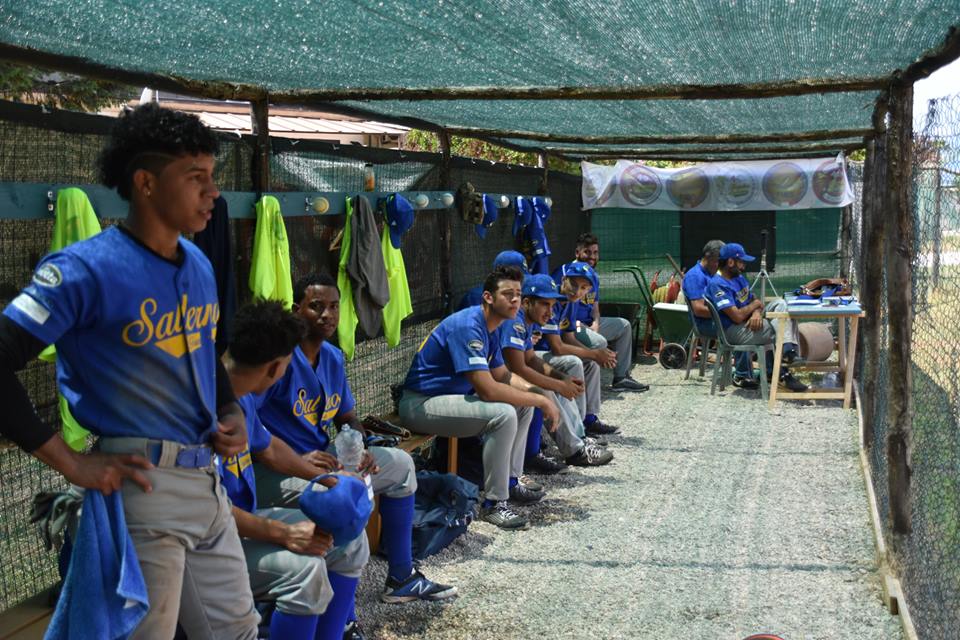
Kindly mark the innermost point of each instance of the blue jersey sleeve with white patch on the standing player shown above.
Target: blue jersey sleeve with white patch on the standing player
(62, 295)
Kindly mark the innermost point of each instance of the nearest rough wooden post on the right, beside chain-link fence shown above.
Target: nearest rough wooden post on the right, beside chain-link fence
(899, 189)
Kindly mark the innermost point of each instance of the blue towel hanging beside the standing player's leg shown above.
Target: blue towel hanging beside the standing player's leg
(104, 596)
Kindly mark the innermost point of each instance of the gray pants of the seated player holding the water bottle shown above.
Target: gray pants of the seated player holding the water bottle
(397, 478)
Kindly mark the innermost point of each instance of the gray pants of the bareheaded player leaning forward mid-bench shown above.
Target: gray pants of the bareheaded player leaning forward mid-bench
(503, 427)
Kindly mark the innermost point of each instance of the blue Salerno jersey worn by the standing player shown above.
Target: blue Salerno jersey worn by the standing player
(134, 334)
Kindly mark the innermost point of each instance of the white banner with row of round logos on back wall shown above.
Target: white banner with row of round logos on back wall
(749, 185)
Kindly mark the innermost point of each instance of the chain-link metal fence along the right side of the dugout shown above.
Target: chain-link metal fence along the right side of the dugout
(927, 559)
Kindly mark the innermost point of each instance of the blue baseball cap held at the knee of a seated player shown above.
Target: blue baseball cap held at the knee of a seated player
(341, 510)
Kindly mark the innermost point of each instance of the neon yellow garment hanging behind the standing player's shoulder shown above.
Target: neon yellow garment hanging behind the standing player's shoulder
(74, 220)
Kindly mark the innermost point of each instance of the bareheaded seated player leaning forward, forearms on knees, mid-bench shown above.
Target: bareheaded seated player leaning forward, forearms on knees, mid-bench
(458, 386)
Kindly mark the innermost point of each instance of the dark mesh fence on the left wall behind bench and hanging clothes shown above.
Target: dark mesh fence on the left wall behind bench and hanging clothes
(63, 150)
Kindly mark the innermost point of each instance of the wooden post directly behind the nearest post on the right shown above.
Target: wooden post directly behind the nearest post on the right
(871, 270)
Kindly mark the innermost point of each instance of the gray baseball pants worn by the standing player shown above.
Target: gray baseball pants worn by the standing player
(189, 551)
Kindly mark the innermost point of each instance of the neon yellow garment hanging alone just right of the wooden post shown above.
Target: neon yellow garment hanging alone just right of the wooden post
(270, 264)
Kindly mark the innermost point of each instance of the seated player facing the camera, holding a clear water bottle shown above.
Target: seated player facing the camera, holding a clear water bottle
(305, 407)
